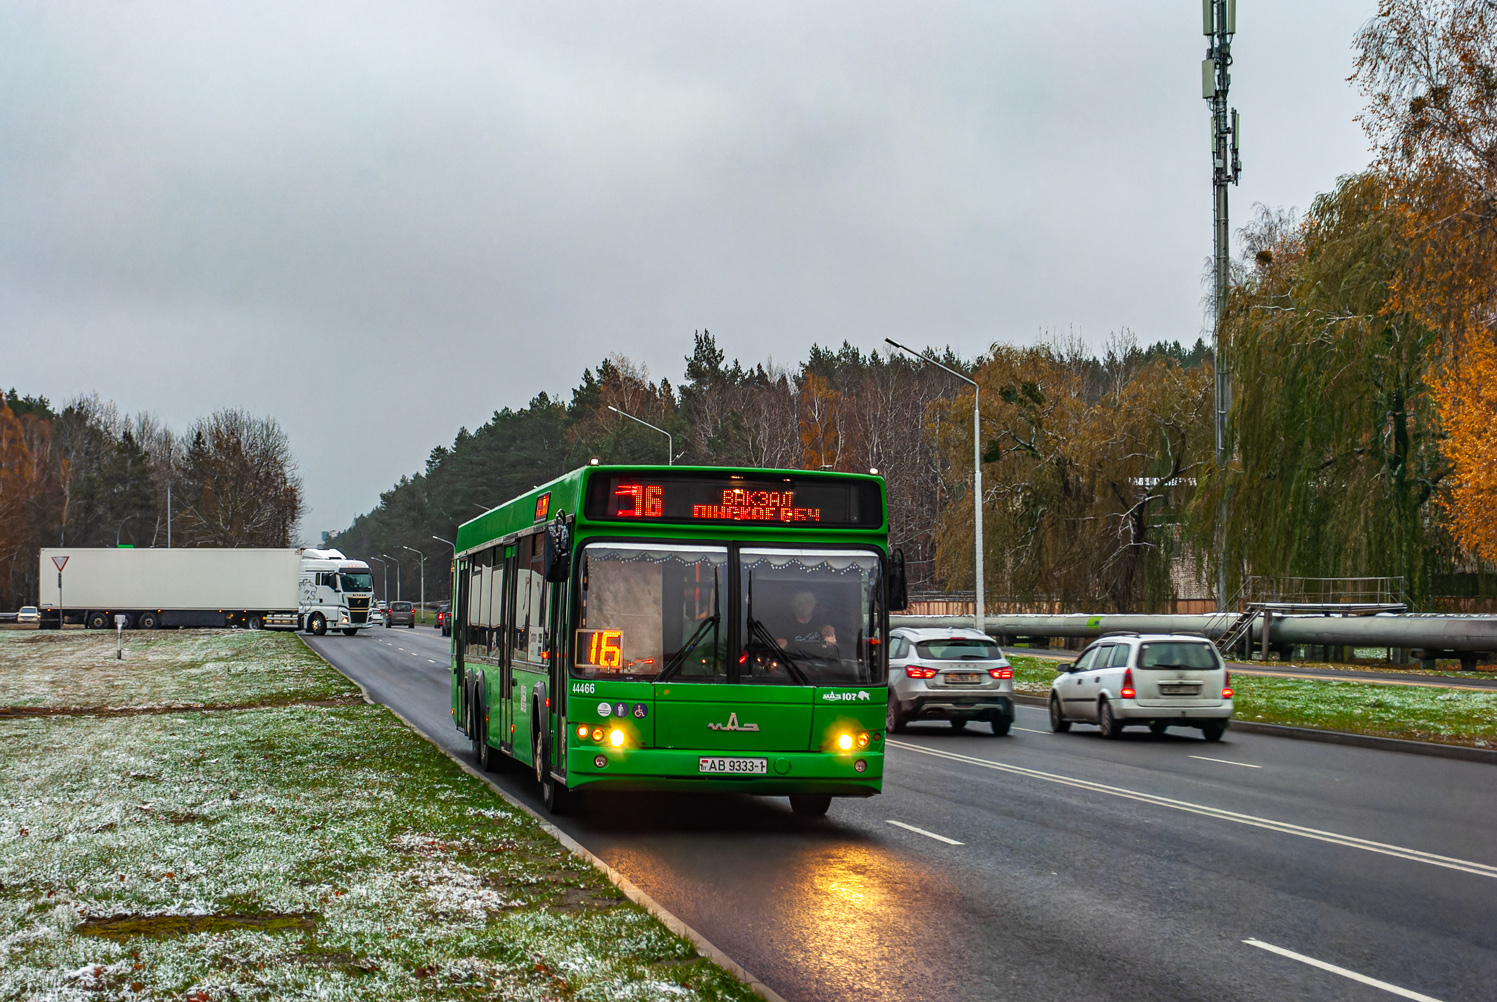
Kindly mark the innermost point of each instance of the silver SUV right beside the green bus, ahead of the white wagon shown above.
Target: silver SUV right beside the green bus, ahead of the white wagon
(948, 675)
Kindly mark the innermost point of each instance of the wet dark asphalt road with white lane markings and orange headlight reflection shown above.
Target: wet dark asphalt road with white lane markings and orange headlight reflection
(1046, 866)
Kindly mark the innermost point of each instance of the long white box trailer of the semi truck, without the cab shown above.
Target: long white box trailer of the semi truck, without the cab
(171, 588)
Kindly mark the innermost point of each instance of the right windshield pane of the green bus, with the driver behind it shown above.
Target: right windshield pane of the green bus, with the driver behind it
(811, 618)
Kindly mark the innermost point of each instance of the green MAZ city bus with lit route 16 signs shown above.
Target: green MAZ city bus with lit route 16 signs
(680, 628)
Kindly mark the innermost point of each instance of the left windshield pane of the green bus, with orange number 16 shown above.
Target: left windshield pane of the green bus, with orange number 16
(652, 612)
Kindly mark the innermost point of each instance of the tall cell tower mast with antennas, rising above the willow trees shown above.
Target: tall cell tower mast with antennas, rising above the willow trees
(1219, 23)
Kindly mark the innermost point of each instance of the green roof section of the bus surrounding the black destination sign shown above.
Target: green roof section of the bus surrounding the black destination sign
(568, 492)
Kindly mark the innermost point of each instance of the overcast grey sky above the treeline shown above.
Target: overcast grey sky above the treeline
(384, 221)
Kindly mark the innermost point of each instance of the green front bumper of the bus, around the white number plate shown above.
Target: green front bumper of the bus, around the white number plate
(844, 775)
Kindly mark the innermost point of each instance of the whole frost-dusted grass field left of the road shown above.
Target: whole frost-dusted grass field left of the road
(290, 851)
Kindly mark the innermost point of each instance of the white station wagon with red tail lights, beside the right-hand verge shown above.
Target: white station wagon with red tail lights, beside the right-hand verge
(1156, 679)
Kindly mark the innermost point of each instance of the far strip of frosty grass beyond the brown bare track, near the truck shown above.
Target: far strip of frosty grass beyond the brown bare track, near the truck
(161, 669)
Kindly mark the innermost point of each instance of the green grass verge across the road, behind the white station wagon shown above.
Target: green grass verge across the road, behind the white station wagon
(1417, 714)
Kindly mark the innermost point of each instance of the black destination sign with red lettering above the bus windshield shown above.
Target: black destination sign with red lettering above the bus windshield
(791, 502)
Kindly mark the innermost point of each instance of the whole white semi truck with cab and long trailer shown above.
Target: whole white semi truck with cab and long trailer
(153, 588)
